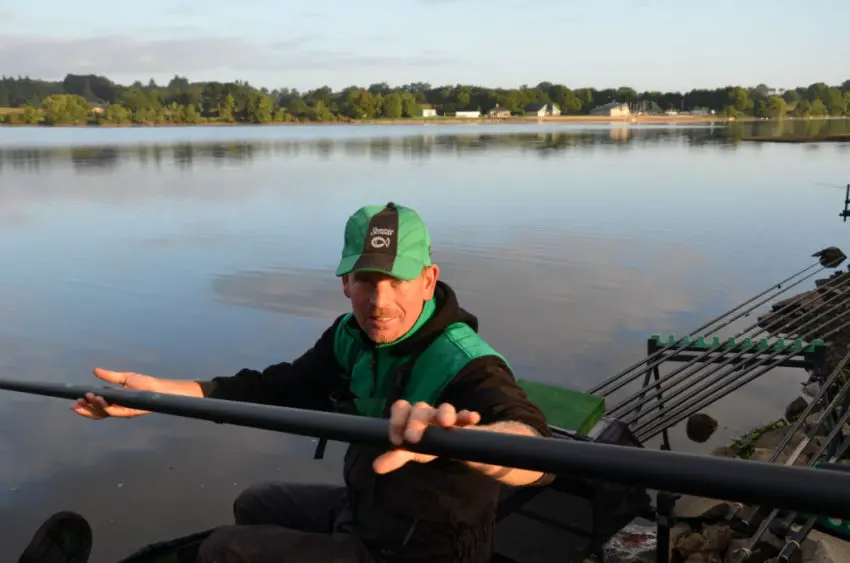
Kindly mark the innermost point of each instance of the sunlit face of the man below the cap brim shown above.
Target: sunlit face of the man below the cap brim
(386, 307)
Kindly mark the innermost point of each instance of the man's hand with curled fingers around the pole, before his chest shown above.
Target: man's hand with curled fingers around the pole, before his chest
(408, 423)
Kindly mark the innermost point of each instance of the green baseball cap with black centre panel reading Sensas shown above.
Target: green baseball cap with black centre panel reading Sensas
(387, 238)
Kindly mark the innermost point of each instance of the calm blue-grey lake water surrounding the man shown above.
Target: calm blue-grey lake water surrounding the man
(195, 252)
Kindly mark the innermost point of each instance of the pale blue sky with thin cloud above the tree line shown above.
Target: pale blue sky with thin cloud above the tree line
(647, 44)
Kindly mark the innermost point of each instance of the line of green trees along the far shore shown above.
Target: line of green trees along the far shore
(93, 99)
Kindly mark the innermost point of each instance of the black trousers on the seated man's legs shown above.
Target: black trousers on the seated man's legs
(282, 523)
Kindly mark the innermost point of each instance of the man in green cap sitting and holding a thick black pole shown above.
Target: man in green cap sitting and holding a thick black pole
(406, 352)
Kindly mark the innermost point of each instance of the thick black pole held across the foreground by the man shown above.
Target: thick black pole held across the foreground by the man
(799, 488)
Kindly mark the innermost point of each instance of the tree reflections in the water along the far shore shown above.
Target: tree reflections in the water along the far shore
(545, 142)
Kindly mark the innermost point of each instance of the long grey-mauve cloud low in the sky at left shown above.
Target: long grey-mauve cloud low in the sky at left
(35, 55)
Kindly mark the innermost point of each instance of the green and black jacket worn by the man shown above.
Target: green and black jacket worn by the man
(438, 511)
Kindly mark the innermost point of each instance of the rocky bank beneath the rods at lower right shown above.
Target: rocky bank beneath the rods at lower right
(711, 530)
